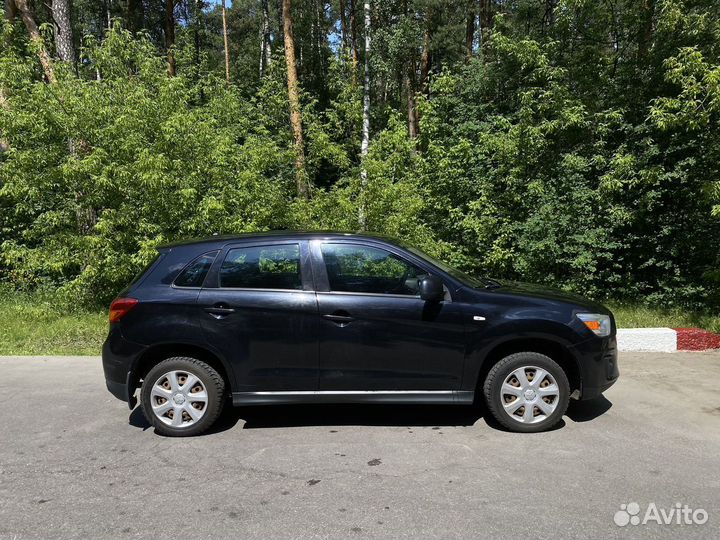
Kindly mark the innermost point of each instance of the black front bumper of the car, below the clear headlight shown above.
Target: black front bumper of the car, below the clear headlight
(597, 359)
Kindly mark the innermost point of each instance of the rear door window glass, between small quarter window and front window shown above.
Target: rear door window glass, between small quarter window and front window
(262, 267)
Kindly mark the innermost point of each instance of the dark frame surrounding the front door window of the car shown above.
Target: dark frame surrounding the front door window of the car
(323, 281)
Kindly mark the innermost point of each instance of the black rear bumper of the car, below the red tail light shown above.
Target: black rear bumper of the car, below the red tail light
(118, 357)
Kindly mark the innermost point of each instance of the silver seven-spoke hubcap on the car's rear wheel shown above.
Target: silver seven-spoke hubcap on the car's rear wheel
(178, 398)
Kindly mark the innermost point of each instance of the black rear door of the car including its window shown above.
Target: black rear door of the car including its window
(260, 311)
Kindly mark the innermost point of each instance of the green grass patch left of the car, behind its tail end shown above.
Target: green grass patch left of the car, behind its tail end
(33, 324)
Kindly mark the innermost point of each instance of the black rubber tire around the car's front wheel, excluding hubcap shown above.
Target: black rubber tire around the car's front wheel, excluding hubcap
(492, 389)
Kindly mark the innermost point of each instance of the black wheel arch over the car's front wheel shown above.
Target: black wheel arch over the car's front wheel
(549, 346)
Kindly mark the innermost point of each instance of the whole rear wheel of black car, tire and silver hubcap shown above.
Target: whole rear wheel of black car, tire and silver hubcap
(182, 396)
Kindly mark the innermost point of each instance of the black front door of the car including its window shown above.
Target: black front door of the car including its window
(376, 333)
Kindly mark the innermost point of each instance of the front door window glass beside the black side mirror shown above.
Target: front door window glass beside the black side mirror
(365, 269)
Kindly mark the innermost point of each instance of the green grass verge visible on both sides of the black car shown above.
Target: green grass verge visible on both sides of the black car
(34, 324)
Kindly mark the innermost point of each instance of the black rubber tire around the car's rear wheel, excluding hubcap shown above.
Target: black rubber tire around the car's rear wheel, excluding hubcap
(212, 382)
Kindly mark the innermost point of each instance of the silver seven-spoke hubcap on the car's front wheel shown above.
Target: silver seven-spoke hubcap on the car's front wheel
(529, 395)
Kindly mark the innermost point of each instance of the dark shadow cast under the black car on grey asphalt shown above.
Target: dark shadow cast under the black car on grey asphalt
(300, 415)
